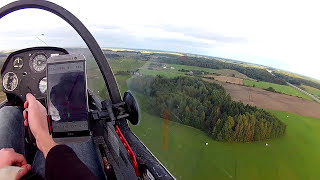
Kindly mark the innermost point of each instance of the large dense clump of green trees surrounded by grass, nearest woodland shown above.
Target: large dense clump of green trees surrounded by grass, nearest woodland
(207, 106)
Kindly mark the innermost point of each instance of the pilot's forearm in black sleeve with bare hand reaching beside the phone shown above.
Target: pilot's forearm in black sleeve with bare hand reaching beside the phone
(61, 160)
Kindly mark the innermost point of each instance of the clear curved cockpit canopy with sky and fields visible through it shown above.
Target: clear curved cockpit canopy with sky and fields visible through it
(225, 90)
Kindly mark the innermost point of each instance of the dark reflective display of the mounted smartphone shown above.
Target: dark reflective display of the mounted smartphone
(67, 99)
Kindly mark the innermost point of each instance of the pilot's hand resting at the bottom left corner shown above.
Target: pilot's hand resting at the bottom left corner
(10, 158)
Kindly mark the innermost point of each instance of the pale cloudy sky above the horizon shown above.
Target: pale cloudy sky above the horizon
(281, 34)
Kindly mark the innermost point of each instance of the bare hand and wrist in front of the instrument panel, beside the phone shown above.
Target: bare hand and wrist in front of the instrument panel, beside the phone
(37, 120)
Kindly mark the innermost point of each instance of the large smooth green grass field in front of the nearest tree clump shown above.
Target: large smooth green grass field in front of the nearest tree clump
(294, 156)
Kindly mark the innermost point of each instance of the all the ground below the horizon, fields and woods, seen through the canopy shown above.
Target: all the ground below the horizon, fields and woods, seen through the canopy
(195, 153)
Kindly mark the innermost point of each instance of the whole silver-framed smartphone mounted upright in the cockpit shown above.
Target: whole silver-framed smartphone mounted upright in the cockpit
(67, 97)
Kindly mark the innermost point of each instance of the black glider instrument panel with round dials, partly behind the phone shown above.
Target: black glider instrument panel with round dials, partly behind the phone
(24, 71)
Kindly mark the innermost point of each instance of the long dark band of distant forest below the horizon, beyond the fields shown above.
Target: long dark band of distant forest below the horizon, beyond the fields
(252, 72)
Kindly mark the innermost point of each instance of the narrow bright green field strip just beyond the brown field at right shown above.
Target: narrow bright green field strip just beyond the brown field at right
(279, 88)
